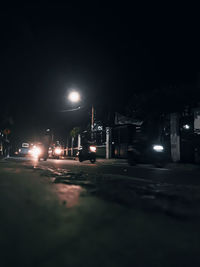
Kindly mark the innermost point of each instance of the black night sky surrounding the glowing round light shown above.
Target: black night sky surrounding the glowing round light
(107, 53)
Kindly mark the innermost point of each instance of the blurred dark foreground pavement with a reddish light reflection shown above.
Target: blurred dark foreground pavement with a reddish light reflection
(68, 219)
